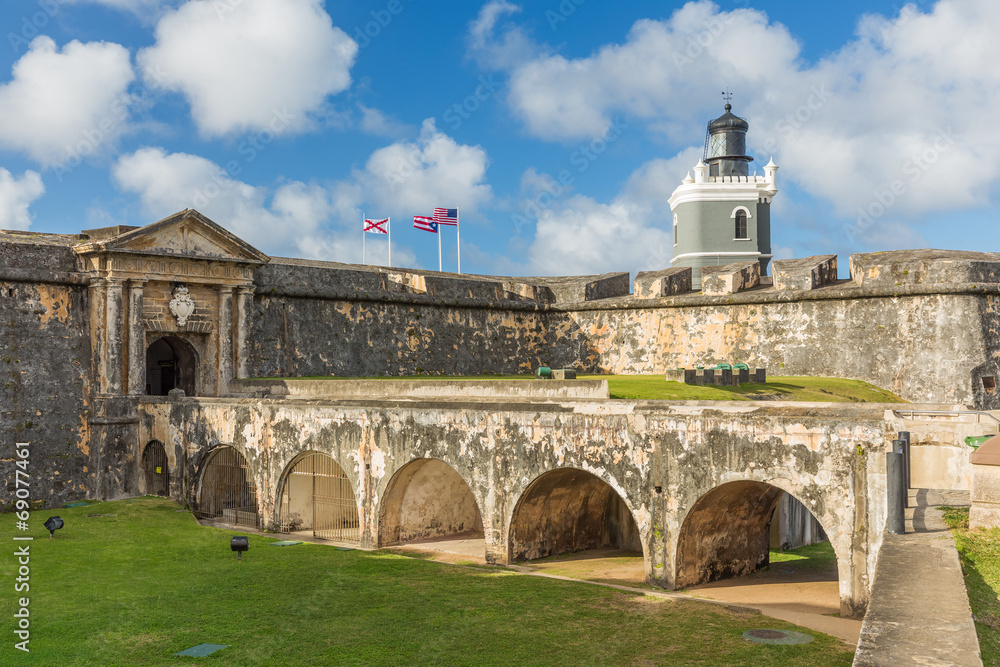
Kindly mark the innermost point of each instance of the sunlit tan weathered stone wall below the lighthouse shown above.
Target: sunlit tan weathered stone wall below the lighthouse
(925, 348)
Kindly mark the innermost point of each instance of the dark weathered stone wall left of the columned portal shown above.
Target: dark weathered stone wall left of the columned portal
(45, 362)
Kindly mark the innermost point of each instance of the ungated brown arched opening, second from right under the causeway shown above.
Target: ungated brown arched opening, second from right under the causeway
(571, 511)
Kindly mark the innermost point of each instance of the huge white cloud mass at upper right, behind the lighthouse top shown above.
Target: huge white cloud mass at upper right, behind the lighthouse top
(903, 103)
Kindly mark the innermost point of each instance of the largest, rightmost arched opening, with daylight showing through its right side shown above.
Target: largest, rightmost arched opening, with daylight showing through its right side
(729, 550)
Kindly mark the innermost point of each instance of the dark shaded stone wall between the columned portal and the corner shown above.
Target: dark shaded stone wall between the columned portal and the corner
(296, 336)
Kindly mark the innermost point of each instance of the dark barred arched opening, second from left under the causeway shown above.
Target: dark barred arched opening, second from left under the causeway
(228, 491)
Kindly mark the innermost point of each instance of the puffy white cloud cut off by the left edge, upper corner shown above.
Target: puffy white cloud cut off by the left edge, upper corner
(60, 105)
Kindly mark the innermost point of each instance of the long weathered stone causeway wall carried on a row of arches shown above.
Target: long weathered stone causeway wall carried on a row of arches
(659, 460)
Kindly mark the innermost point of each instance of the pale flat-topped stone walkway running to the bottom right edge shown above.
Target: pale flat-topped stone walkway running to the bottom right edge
(919, 611)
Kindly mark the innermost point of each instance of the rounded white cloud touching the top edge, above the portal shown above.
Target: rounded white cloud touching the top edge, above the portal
(251, 64)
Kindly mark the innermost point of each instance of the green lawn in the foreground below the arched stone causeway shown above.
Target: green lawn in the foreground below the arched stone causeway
(133, 588)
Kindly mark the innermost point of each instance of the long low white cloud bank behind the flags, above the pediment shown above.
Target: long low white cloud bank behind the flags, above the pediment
(312, 220)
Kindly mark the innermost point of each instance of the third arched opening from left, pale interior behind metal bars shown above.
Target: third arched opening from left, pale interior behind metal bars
(318, 498)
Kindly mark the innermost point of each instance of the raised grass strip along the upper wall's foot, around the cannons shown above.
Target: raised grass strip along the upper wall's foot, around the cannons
(655, 387)
